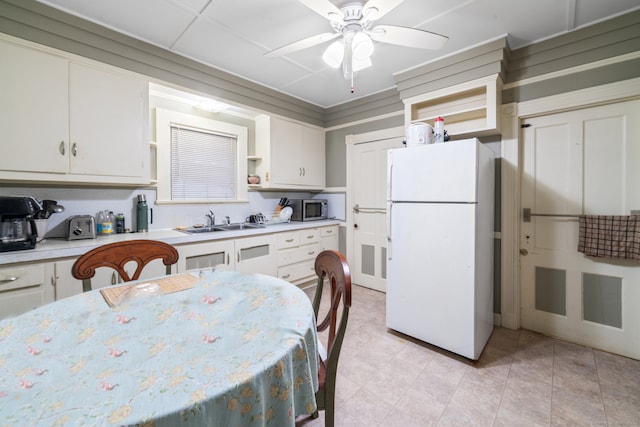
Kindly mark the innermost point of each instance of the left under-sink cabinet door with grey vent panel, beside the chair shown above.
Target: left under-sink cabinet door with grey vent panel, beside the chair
(207, 255)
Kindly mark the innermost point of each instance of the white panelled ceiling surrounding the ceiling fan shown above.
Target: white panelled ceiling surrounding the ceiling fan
(234, 35)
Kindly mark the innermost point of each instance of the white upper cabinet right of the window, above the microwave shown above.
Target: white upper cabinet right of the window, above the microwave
(289, 155)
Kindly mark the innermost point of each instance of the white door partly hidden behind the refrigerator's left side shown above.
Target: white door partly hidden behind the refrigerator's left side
(368, 268)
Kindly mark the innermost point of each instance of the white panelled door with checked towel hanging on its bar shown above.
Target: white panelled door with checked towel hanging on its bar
(580, 162)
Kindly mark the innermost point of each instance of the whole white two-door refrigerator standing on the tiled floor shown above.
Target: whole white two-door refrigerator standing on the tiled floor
(440, 203)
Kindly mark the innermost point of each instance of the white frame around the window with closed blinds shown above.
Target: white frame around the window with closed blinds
(164, 120)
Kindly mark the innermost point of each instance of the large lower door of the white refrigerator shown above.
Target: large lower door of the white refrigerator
(431, 274)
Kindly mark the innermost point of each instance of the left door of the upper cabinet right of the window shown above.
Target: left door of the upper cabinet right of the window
(286, 167)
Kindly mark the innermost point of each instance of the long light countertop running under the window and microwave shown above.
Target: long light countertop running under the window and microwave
(56, 248)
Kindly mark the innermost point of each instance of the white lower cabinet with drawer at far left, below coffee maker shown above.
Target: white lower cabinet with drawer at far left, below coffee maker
(25, 287)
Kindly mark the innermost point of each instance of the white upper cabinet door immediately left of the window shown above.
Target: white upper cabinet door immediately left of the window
(107, 122)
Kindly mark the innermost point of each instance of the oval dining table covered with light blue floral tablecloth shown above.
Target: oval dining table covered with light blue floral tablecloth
(204, 348)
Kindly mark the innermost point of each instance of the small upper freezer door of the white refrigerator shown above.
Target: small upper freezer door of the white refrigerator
(434, 173)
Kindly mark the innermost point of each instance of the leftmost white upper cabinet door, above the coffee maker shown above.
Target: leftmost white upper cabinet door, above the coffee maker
(34, 123)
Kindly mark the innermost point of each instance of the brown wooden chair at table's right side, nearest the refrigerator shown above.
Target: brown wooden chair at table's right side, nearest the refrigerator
(332, 267)
